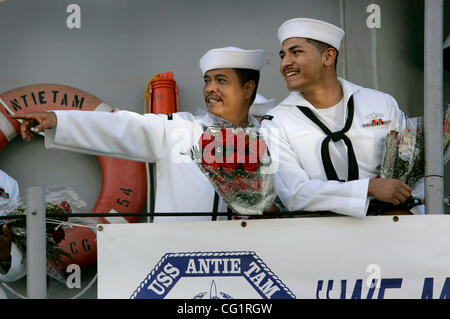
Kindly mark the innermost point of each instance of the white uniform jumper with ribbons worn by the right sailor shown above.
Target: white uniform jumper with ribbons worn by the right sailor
(296, 144)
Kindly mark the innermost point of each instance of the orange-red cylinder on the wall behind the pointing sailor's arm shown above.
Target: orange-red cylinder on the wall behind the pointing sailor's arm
(161, 94)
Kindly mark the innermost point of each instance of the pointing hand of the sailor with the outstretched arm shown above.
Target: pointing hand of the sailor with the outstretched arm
(35, 123)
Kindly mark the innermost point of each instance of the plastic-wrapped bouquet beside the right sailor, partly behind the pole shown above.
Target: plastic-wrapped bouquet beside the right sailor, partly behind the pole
(404, 150)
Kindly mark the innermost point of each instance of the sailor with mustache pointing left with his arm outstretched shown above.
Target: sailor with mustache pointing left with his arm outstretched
(231, 77)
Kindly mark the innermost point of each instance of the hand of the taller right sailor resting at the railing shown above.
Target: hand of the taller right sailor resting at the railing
(389, 190)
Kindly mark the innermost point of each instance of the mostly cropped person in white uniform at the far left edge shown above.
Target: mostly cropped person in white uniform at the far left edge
(11, 261)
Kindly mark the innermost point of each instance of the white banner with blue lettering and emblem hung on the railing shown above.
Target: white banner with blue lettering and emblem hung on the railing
(327, 257)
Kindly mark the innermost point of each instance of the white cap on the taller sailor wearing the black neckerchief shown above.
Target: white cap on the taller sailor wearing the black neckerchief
(311, 29)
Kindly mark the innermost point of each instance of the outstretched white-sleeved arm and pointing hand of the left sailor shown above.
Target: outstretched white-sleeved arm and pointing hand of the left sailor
(122, 134)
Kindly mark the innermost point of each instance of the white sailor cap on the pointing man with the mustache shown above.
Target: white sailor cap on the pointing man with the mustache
(231, 57)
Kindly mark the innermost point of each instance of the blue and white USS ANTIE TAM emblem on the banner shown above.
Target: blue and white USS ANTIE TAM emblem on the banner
(212, 275)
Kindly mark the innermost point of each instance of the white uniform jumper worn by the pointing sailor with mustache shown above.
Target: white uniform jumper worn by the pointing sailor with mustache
(161, 139)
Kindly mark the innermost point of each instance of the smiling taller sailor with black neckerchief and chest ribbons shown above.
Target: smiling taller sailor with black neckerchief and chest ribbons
(329, 132)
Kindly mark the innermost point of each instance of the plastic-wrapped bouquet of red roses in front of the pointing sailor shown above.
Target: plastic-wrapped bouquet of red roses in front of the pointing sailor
(236, 162)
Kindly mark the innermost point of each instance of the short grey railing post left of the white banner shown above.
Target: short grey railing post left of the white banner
(36, 244)
